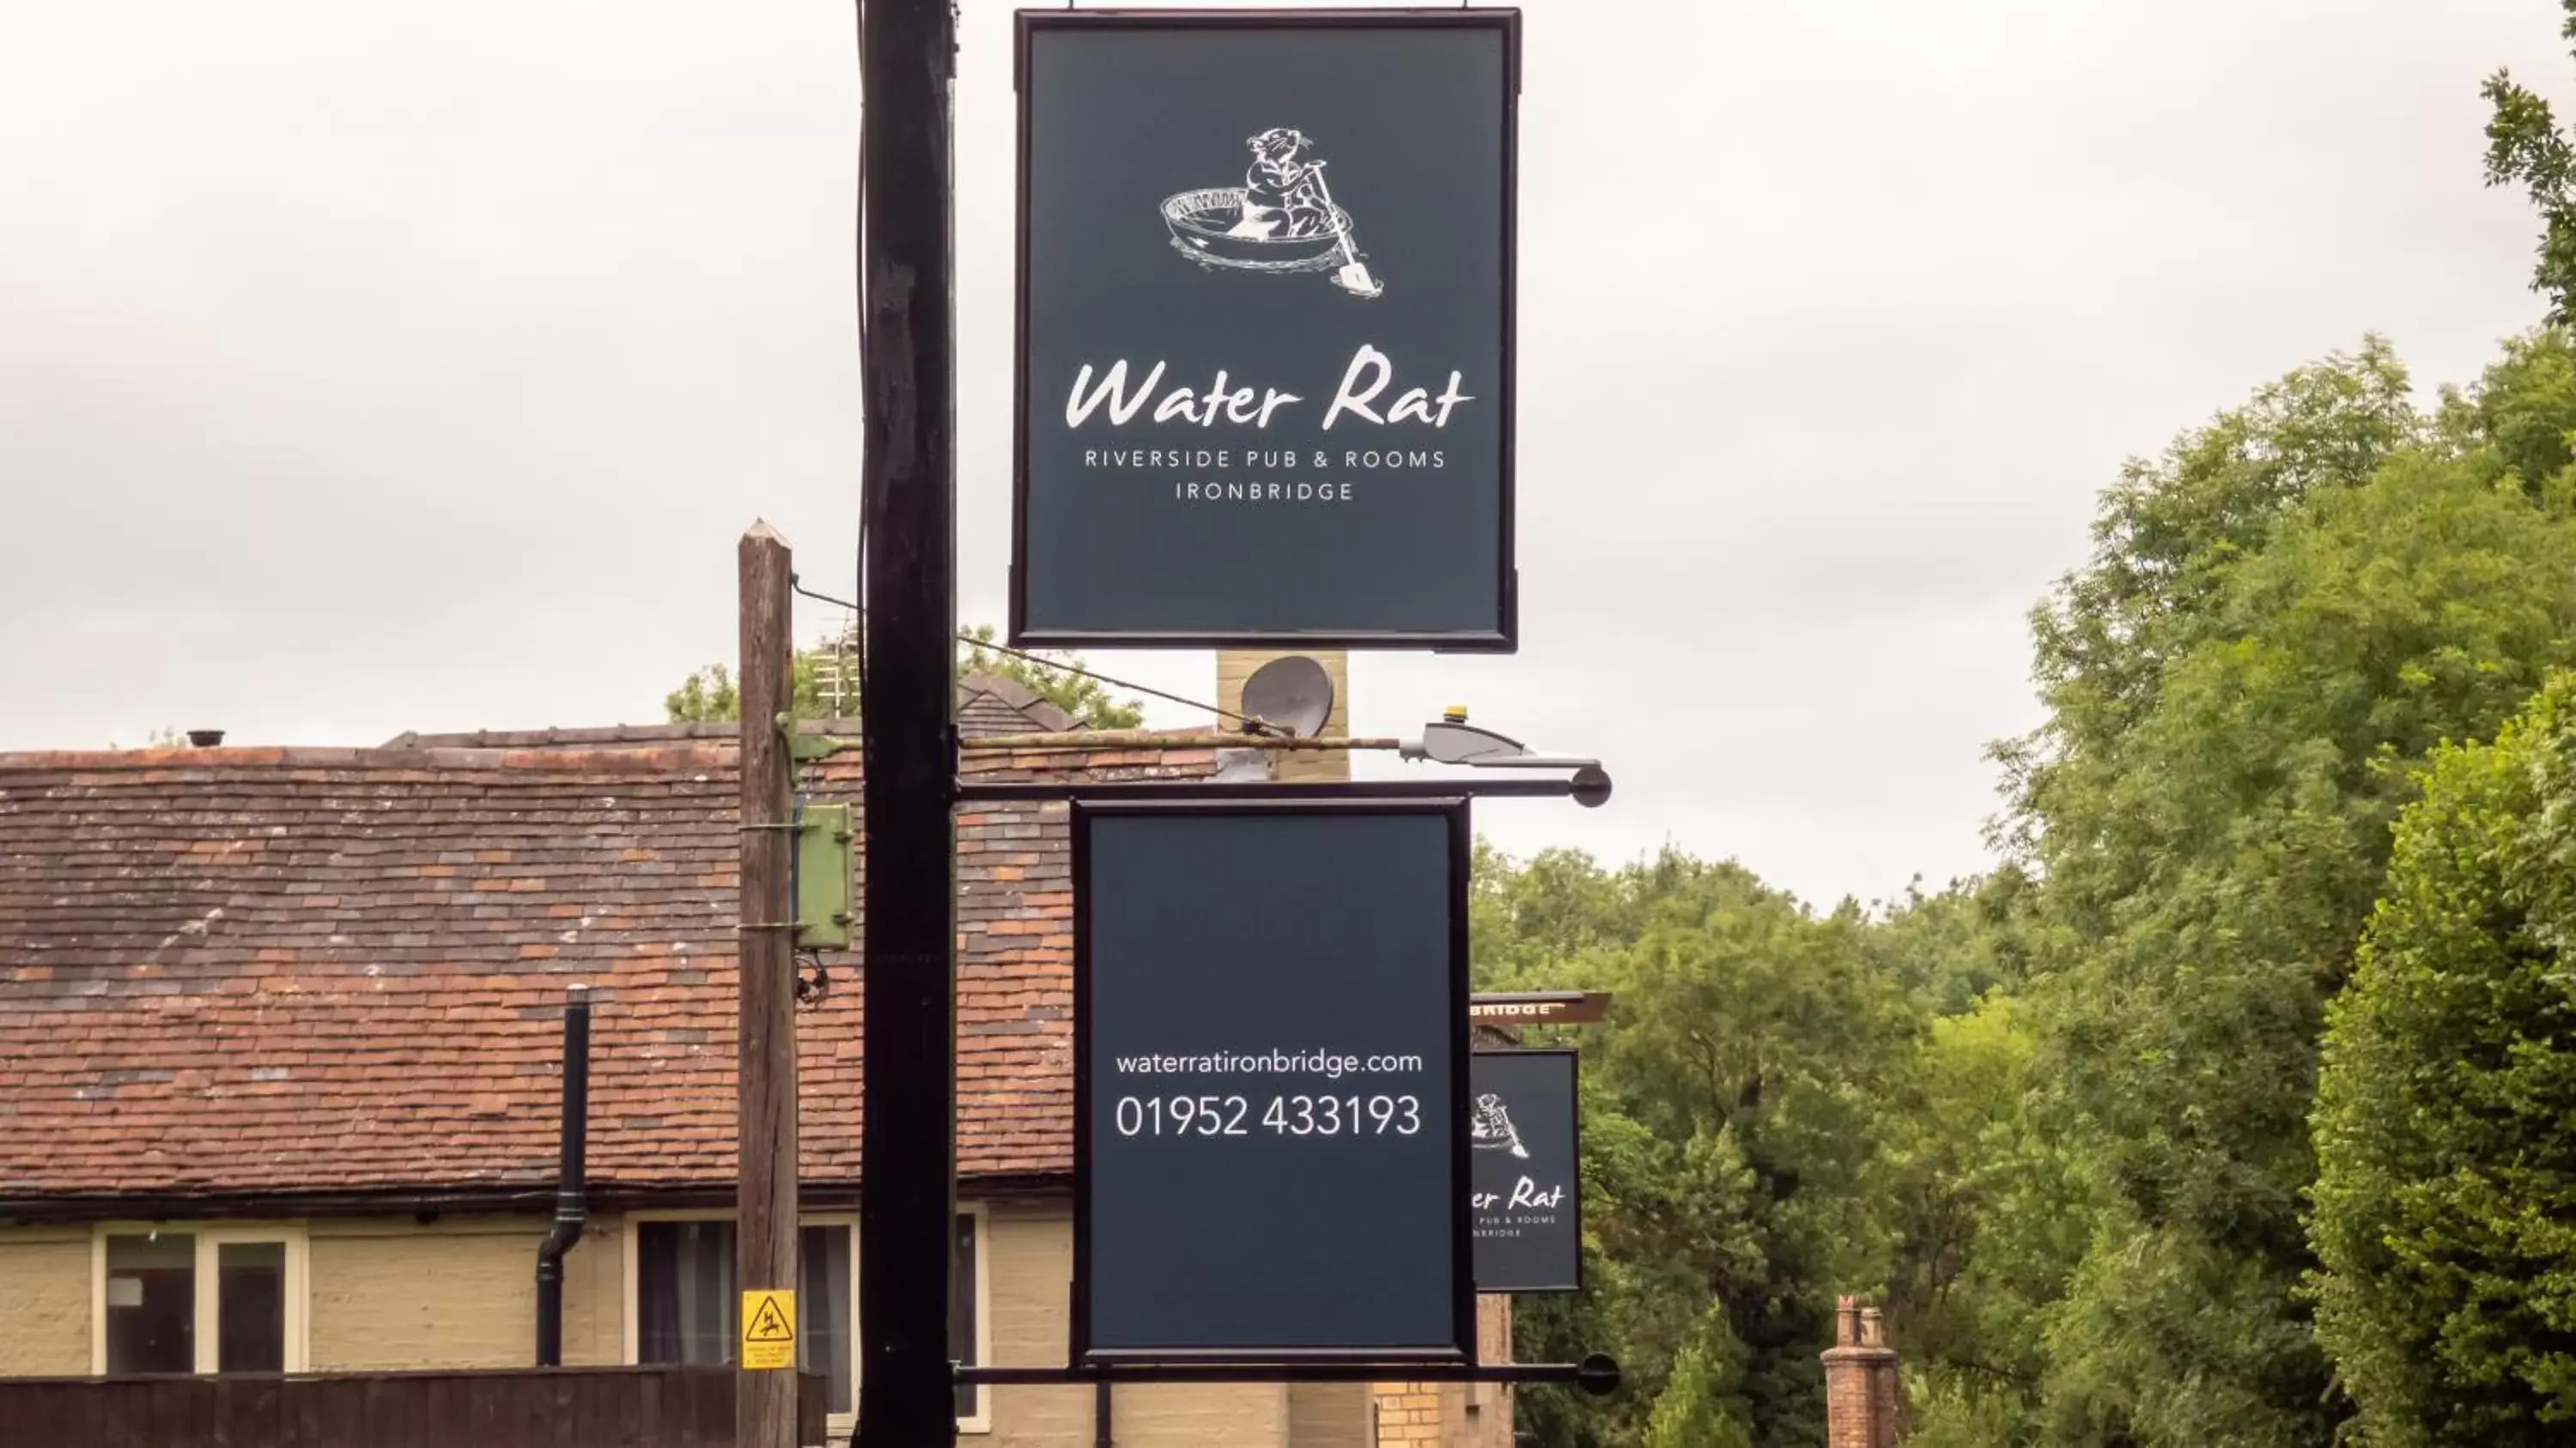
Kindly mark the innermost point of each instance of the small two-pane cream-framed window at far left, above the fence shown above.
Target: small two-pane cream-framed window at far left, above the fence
(200, 1300)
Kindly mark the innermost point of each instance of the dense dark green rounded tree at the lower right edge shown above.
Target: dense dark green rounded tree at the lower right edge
(2446, 1122)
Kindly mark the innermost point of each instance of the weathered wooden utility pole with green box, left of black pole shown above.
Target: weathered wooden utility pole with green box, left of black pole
(766, 952)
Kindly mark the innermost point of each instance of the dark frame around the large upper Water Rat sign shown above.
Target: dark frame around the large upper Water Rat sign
(1506, 635)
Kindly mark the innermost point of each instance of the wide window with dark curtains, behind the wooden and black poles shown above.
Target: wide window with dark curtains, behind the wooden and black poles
(689, 1308)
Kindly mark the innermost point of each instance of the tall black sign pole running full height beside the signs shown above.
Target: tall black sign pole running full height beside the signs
(908, 707)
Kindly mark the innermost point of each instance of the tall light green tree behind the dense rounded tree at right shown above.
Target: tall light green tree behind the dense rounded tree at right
(2281, 620)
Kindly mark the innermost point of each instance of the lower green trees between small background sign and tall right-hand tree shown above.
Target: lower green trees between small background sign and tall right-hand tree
(1786, 1107)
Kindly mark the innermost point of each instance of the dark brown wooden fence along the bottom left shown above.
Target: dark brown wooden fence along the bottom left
(535, 1408)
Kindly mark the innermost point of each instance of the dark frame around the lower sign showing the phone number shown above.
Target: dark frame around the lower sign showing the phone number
(1462, 844)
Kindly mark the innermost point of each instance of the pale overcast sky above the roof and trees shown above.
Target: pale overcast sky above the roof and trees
(416, 365)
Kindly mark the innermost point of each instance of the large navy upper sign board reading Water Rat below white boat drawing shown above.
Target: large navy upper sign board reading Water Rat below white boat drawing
(1266, 329)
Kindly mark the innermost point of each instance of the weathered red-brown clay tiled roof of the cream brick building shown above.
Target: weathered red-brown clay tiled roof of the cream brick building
(246, 973)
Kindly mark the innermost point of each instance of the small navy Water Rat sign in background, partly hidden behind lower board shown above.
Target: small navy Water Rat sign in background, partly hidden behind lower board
(1529, 1174)
